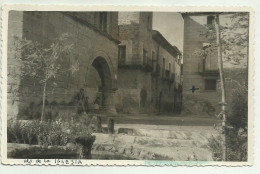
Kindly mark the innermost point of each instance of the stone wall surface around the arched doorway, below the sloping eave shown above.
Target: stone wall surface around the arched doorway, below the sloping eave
(43, 27)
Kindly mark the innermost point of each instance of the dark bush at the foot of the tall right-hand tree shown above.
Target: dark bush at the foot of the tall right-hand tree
(236, 130)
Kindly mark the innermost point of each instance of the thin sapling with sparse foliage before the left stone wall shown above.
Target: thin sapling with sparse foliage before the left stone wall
(44, 63)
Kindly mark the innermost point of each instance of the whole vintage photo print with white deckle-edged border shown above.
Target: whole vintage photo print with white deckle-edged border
(115, 85)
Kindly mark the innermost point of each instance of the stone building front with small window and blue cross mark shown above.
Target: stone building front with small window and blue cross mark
(199, 72)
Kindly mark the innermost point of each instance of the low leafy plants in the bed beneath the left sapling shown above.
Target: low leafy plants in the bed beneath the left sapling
(46, 133)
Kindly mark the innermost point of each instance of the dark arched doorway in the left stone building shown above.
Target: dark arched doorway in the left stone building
(105, 87)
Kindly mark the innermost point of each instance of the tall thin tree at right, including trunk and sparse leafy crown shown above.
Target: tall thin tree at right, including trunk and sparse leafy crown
(231, 42)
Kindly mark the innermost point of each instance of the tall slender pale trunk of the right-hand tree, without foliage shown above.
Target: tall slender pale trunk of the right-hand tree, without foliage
(222, 84)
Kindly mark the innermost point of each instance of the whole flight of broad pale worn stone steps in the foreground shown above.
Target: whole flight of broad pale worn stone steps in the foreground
(157, 144)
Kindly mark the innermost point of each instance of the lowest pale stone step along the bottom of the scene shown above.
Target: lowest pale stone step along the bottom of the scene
(157, 153)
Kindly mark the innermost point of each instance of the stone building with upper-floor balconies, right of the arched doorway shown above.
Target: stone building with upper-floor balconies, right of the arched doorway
(149, 70)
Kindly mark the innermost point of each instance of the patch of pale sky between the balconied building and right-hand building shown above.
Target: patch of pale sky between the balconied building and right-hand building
(171, 26)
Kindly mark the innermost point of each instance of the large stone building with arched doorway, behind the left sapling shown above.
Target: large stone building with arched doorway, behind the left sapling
(95, 39)
